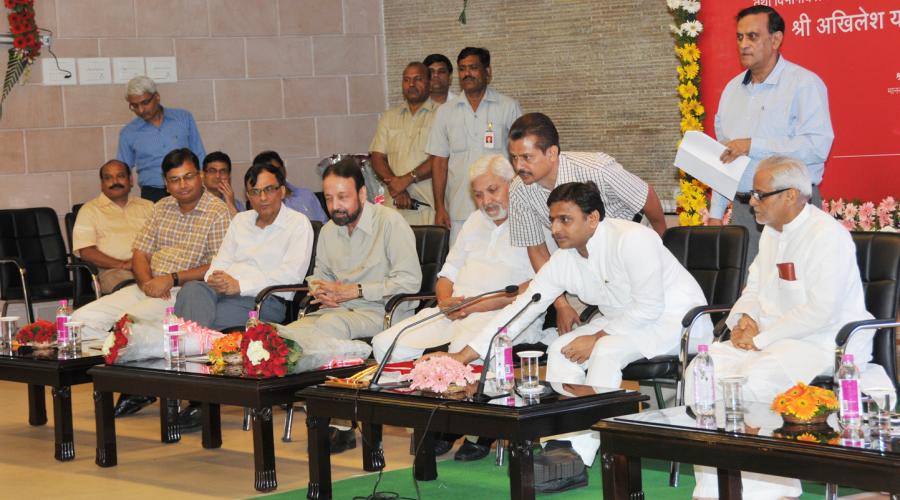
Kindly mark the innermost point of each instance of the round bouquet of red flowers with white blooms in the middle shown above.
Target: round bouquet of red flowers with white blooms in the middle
(266, 354)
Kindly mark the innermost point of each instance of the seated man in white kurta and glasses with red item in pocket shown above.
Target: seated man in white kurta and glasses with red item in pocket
(803, 286)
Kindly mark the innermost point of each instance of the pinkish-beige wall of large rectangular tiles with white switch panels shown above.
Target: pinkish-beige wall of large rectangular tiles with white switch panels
(303, 77)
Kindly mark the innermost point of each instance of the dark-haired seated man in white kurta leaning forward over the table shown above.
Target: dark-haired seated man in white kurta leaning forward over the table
(641, 290)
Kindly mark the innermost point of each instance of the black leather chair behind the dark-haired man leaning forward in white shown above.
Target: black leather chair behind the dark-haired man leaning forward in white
(716, 256)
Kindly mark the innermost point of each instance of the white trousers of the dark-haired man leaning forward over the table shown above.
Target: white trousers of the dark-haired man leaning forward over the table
(604, 369)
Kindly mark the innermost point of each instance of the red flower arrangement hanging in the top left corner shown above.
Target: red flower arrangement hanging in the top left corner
(26, 43)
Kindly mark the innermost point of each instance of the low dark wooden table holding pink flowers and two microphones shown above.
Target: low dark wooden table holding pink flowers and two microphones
(565, 408)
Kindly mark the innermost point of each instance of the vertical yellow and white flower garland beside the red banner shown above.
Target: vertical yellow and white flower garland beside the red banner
(693, 200)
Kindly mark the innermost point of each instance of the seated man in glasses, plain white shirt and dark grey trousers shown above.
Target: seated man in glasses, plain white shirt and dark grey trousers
(268, 245)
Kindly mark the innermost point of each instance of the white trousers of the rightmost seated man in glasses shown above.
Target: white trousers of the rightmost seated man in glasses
(766, 378)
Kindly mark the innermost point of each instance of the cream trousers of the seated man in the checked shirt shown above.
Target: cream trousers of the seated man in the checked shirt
(100, 315)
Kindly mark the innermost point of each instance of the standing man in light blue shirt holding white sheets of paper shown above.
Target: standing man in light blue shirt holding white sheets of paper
(773, 108)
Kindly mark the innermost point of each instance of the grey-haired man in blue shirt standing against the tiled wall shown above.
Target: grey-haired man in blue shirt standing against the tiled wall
(156, 131)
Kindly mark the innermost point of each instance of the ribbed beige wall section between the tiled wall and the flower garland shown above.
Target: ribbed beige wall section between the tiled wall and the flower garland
(604, 71)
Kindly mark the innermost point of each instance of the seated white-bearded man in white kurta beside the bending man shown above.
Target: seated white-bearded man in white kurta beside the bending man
(482, 259)
